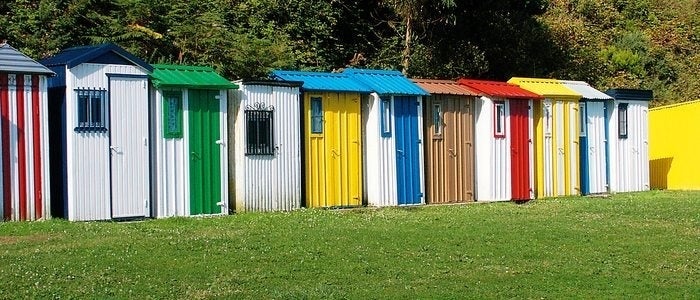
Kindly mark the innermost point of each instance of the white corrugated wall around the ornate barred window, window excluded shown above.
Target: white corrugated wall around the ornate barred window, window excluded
(268, 182)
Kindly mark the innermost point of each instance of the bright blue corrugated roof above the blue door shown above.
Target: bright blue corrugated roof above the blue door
(386, 82)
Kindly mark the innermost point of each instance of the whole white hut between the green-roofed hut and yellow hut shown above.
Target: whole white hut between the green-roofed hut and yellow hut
(266, 145)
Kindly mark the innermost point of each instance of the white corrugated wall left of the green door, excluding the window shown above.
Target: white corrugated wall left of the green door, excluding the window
(170, 163)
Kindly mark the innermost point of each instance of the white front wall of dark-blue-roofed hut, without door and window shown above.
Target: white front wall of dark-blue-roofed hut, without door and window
(87, 153)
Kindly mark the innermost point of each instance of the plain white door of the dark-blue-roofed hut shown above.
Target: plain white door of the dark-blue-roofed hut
(128, 98)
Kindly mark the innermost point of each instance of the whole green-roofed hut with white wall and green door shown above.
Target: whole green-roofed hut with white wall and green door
(189, 130)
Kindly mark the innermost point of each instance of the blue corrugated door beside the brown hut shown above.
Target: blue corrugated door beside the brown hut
(407, 147)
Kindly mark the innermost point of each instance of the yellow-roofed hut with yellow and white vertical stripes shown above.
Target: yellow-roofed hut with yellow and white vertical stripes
(556, 120)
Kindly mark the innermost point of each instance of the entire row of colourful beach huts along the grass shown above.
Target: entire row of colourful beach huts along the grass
(95, 133)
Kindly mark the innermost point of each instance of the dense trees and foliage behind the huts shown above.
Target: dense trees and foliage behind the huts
(609, 43)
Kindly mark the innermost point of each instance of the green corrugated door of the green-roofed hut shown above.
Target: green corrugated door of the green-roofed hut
(205, 152)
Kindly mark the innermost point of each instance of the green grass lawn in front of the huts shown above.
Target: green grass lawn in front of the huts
(624, 246)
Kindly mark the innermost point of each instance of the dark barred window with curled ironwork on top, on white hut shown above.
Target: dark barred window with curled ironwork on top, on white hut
(259, 130)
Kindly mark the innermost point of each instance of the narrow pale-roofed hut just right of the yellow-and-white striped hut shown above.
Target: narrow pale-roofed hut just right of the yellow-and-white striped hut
(593, 148)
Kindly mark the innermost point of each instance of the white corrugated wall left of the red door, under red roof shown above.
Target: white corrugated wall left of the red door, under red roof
(493, 155)
